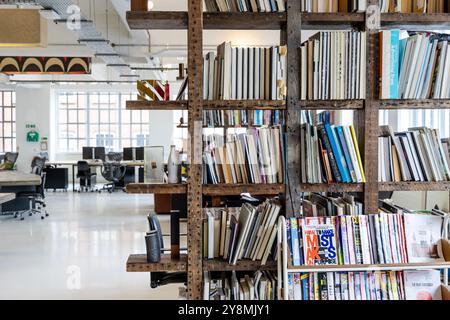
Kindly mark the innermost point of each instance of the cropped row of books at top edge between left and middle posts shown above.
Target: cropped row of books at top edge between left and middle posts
(245, 5)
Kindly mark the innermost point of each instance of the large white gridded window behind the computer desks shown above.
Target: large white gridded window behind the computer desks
(100, 120)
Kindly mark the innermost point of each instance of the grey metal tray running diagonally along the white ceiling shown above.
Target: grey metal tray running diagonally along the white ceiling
(87, 33)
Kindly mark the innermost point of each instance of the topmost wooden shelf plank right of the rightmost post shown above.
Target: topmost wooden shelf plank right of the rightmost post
(416, 21)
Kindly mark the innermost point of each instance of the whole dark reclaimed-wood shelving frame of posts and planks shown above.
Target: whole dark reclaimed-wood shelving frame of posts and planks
(290, 24)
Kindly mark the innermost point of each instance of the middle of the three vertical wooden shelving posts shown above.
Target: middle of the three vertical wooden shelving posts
(294, 22)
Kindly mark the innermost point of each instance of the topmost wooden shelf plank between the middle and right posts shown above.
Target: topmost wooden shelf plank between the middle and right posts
(330, 21)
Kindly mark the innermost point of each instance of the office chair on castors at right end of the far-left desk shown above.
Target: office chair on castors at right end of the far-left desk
(36, 199)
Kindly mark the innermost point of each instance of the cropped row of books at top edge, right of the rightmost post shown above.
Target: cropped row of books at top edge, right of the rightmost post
(417, 6)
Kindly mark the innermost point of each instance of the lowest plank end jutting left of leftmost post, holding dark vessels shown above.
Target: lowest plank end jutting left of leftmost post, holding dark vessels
(138, 263)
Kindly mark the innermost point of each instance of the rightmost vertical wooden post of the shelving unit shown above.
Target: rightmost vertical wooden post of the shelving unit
(371, 116)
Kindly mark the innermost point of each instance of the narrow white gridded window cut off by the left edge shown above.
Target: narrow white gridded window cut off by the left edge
(7, 121)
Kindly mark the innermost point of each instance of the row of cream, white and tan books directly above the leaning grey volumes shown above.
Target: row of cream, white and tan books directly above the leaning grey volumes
(256, 156)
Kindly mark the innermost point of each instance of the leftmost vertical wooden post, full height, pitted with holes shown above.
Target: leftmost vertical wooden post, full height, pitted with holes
(194, 192)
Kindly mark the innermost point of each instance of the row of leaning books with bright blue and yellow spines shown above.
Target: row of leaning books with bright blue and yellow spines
(330, 153)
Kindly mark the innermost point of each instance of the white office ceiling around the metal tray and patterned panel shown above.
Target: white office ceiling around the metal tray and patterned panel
(138, 49)
